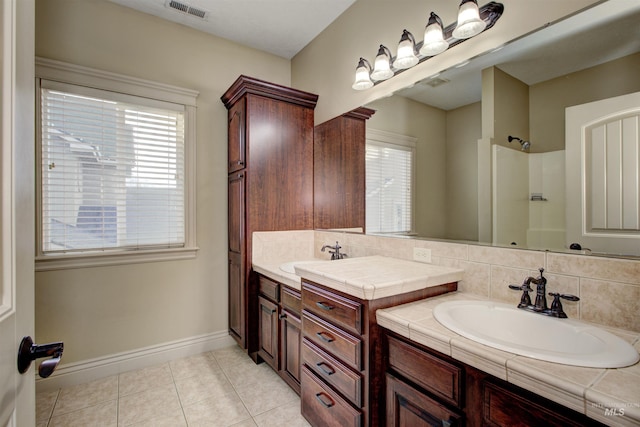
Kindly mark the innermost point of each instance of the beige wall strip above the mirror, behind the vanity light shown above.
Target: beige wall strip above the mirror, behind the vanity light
(326, 66)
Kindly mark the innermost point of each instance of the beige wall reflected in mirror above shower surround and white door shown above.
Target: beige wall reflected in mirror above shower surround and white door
(549, 99)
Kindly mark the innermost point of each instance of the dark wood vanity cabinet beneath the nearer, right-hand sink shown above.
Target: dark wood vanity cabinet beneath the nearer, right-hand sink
(427, 388)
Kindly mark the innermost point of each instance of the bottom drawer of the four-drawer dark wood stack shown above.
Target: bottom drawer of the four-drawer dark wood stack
(321, 406)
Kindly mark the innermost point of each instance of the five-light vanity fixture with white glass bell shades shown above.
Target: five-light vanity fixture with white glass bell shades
(471, 22)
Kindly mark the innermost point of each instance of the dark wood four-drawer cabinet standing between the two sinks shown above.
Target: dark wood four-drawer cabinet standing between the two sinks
(343, 373)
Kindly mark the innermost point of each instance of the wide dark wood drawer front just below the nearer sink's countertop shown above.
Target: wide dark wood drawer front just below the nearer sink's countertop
(430, 372)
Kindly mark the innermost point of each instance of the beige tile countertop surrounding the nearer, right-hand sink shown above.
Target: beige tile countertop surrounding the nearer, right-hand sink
(591, 391)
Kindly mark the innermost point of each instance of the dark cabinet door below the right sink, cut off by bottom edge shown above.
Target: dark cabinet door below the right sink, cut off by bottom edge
(409, 407)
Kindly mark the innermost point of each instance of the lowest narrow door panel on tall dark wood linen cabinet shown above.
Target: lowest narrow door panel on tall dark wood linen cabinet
(237, 299)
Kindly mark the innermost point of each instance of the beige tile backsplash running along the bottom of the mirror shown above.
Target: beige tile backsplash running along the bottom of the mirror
(609, 288)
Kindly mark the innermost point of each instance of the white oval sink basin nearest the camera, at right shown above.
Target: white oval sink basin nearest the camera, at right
(511, 329)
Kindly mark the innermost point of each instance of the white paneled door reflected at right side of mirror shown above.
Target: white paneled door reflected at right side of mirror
(602, 166)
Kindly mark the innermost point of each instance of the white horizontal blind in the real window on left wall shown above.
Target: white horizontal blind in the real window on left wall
(112, 171)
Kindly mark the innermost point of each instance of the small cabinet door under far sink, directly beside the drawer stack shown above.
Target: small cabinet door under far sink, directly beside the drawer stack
(290, 348)
